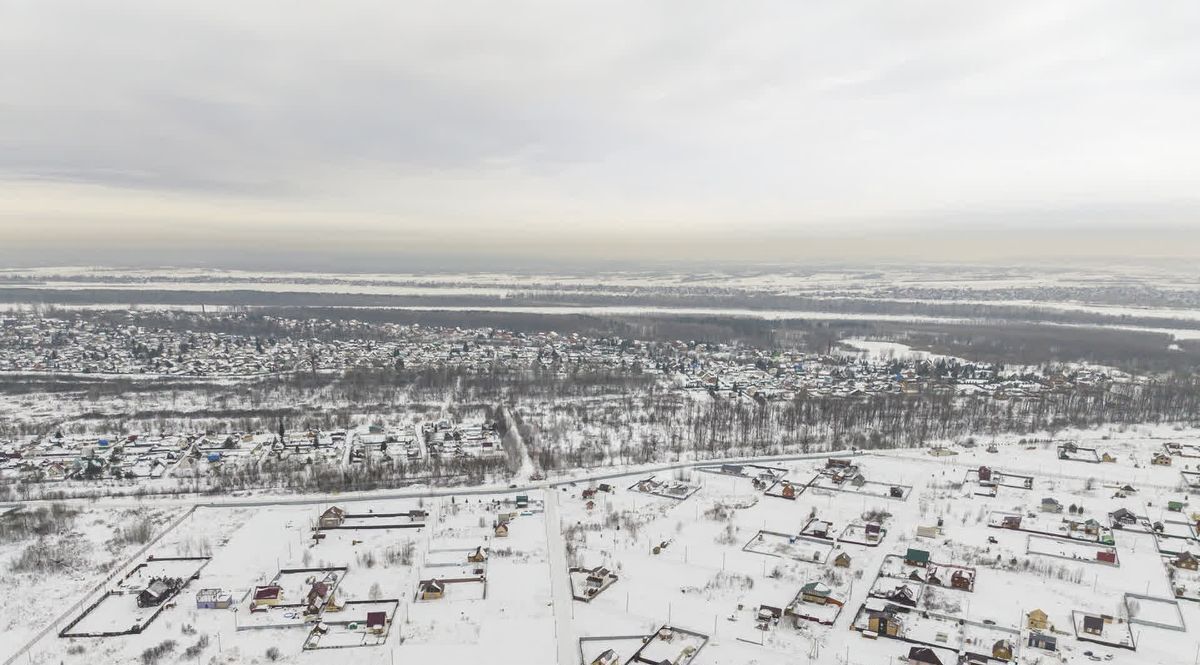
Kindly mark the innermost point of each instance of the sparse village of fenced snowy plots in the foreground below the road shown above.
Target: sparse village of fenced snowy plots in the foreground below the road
(956, 554)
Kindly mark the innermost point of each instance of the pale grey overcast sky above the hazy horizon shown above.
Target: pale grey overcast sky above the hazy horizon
(611, 129)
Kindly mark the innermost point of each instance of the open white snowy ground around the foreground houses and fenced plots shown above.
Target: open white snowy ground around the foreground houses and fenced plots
(701, 580)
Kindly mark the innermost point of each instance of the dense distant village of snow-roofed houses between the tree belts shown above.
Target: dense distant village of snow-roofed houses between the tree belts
(125, 348)
